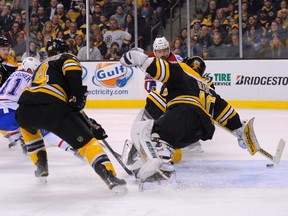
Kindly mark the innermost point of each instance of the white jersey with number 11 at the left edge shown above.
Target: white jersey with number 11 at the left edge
(11, 90)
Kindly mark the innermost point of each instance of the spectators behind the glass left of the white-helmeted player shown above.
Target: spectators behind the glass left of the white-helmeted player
(111, 25)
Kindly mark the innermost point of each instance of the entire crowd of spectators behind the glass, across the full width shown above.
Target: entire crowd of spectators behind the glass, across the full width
(214, 30)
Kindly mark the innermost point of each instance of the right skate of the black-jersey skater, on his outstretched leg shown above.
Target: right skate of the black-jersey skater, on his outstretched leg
(115, 184)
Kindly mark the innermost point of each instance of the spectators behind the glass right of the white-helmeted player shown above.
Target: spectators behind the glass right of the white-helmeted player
(215, 30)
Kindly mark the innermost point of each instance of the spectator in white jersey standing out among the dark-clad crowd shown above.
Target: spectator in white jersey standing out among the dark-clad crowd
(115, 34)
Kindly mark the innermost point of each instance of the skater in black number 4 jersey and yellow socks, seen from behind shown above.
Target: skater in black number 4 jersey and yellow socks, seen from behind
(53, 102)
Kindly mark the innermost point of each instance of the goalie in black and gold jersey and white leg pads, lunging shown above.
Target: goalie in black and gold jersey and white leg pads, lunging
(191, 110)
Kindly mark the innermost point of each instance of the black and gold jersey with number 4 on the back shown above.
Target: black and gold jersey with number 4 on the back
(55, 80)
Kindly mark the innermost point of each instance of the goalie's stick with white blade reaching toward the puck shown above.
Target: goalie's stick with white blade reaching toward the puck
(252, 142)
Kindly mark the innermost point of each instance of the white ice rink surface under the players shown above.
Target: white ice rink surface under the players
(224, 180)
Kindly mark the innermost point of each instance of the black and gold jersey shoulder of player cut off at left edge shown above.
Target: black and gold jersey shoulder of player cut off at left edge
(7, 67)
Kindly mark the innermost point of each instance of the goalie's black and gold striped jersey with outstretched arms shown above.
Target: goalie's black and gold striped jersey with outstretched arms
(186, 86)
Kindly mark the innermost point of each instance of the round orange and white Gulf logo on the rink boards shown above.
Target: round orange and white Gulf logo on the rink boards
(111, 75)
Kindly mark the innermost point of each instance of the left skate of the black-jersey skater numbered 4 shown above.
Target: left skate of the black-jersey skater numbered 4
(42, 167)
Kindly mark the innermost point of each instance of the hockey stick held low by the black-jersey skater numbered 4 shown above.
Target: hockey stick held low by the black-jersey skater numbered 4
(116, 155)
